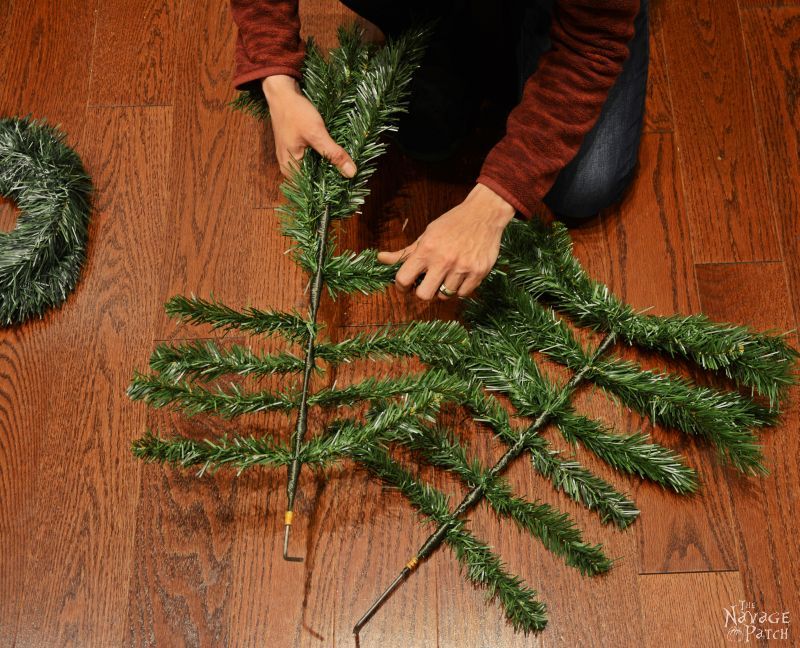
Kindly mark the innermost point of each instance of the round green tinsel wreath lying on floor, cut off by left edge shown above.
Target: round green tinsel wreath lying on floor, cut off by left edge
(41, 258)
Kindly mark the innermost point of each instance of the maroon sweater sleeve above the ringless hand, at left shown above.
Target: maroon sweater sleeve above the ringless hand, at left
(268, 41)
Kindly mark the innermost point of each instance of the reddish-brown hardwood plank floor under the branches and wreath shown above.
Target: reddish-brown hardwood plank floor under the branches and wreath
(97, 549)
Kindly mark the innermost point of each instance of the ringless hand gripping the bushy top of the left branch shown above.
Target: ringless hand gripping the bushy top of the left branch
(296, 124)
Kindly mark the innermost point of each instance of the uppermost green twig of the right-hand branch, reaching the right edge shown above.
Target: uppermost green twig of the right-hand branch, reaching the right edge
(540, 260)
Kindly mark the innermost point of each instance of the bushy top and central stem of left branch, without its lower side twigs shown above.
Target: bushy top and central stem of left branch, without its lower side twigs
(360, 98)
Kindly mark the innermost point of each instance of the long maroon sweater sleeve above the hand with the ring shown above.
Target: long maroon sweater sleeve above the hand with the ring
(561, 100)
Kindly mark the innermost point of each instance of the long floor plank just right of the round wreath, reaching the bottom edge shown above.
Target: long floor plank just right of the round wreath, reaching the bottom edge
(81, 542)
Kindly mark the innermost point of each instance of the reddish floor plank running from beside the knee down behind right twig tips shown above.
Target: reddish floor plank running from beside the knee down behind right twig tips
(650, 266)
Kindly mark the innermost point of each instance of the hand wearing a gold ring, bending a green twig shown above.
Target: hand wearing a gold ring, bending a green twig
(458, 249)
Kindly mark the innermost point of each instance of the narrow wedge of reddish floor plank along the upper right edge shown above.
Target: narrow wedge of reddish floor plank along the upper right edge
(772, 37)
